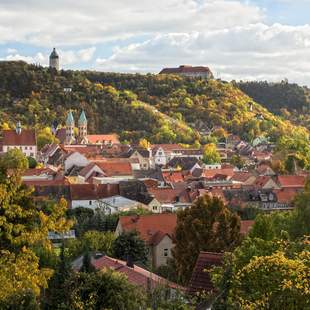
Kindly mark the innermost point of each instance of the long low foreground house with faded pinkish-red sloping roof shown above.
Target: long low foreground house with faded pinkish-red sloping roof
(135, 274)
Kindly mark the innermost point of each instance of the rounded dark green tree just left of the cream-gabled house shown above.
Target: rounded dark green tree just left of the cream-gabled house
(129, 244)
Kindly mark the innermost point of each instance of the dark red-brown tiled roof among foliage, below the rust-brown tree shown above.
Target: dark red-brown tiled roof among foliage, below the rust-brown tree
(201, 280)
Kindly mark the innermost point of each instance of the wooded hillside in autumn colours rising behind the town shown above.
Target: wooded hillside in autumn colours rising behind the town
(163, 108)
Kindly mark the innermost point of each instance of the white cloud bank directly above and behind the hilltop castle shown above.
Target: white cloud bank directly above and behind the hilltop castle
(249, 52)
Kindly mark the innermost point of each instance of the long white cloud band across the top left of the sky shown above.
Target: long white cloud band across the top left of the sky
(68, 22)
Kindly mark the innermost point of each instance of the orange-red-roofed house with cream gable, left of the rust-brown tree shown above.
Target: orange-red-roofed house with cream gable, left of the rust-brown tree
(156, 230)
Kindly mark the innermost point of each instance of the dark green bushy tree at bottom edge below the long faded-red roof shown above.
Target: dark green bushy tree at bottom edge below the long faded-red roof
(105, 289)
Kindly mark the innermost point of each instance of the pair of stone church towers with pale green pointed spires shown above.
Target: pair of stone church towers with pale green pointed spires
(82, 129)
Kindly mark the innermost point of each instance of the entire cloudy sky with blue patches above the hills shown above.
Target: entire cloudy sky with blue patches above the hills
(253, 39)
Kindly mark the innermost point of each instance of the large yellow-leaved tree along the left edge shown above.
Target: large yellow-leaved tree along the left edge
(23, 226)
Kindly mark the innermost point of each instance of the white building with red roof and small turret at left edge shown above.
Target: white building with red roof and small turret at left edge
(22, 139)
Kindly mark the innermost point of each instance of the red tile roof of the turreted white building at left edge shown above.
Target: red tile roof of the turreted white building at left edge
(26, 137)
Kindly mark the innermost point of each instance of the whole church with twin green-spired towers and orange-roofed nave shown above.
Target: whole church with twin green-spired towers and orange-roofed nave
(69, 135)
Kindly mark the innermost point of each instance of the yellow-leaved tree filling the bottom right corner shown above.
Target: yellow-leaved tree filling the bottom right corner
(274, 282)
